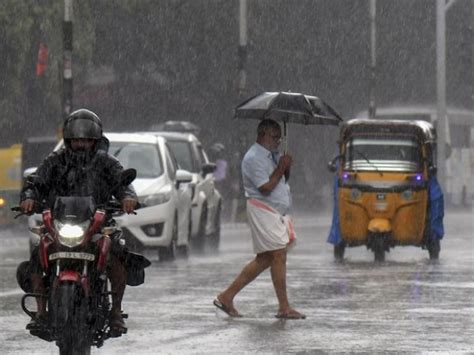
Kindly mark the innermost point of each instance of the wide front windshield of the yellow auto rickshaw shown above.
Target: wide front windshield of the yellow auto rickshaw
(385, 154)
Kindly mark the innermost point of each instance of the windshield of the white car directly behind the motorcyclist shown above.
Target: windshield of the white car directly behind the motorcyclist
(144, 157)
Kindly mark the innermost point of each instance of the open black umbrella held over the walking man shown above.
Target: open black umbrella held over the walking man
(288, 107)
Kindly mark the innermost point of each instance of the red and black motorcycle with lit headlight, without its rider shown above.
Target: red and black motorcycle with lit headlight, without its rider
(75, 242)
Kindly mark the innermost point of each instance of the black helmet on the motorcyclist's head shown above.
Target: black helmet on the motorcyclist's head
(82, 123)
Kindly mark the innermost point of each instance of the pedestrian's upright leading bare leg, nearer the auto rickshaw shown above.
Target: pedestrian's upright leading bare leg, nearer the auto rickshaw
(278, 272)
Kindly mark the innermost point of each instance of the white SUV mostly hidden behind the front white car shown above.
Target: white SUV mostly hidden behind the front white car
(206, 200)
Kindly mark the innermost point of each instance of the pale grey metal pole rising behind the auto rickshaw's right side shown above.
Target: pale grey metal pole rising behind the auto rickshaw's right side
(441, 89)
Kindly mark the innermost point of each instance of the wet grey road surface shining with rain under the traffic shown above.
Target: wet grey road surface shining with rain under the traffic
(405, 305)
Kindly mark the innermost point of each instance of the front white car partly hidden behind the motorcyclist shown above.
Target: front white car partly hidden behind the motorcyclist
(164, 220)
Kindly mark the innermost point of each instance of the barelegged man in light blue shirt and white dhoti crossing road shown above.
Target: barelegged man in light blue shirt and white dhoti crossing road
(265, 176)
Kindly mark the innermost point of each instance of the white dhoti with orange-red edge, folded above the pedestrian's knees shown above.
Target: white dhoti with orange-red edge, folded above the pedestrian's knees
(270, 230)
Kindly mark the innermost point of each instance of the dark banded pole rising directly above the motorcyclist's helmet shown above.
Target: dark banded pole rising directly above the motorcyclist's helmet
(67, 58)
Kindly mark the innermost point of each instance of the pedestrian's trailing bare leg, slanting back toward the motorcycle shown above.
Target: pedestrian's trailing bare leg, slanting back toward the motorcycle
(254, 268)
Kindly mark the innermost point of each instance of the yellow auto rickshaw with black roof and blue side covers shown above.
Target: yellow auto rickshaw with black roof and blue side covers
(385, 192)
